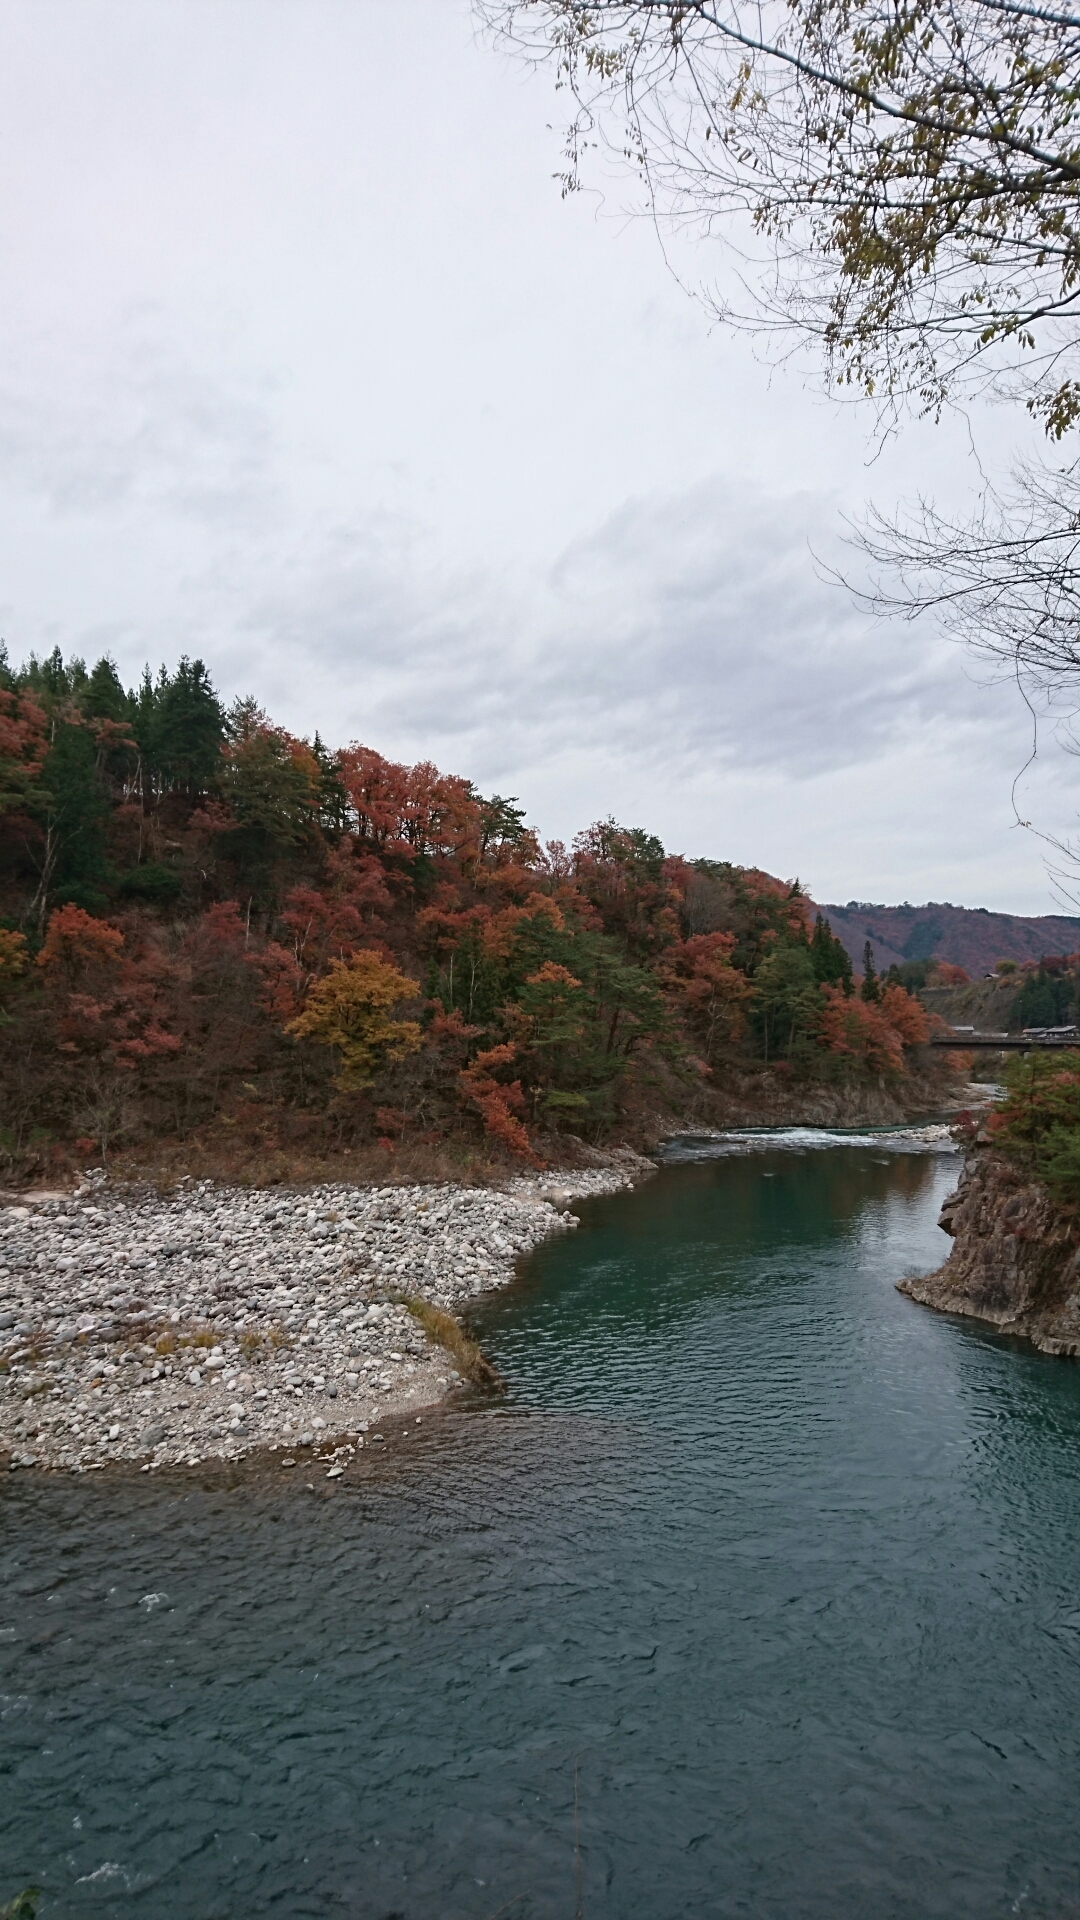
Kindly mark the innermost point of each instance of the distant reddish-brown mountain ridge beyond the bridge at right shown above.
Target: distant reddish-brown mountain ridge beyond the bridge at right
(968, 936)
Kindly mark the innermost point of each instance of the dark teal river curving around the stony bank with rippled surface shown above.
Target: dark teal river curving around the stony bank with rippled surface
(756, 1596)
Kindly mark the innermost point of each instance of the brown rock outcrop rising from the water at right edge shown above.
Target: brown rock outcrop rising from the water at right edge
(1016, 1259)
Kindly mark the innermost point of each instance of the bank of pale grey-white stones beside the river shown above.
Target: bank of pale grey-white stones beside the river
(218, 1322)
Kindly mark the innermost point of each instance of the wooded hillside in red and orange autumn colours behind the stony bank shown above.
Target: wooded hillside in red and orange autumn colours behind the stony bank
(209, 924)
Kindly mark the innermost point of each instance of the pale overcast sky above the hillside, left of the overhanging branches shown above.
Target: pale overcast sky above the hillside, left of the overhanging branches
(308, 370)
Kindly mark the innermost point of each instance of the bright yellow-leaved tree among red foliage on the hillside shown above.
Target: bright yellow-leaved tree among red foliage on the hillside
(349, 1011)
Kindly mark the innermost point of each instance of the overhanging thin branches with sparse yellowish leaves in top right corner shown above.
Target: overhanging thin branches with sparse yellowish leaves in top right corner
(904, 174)
